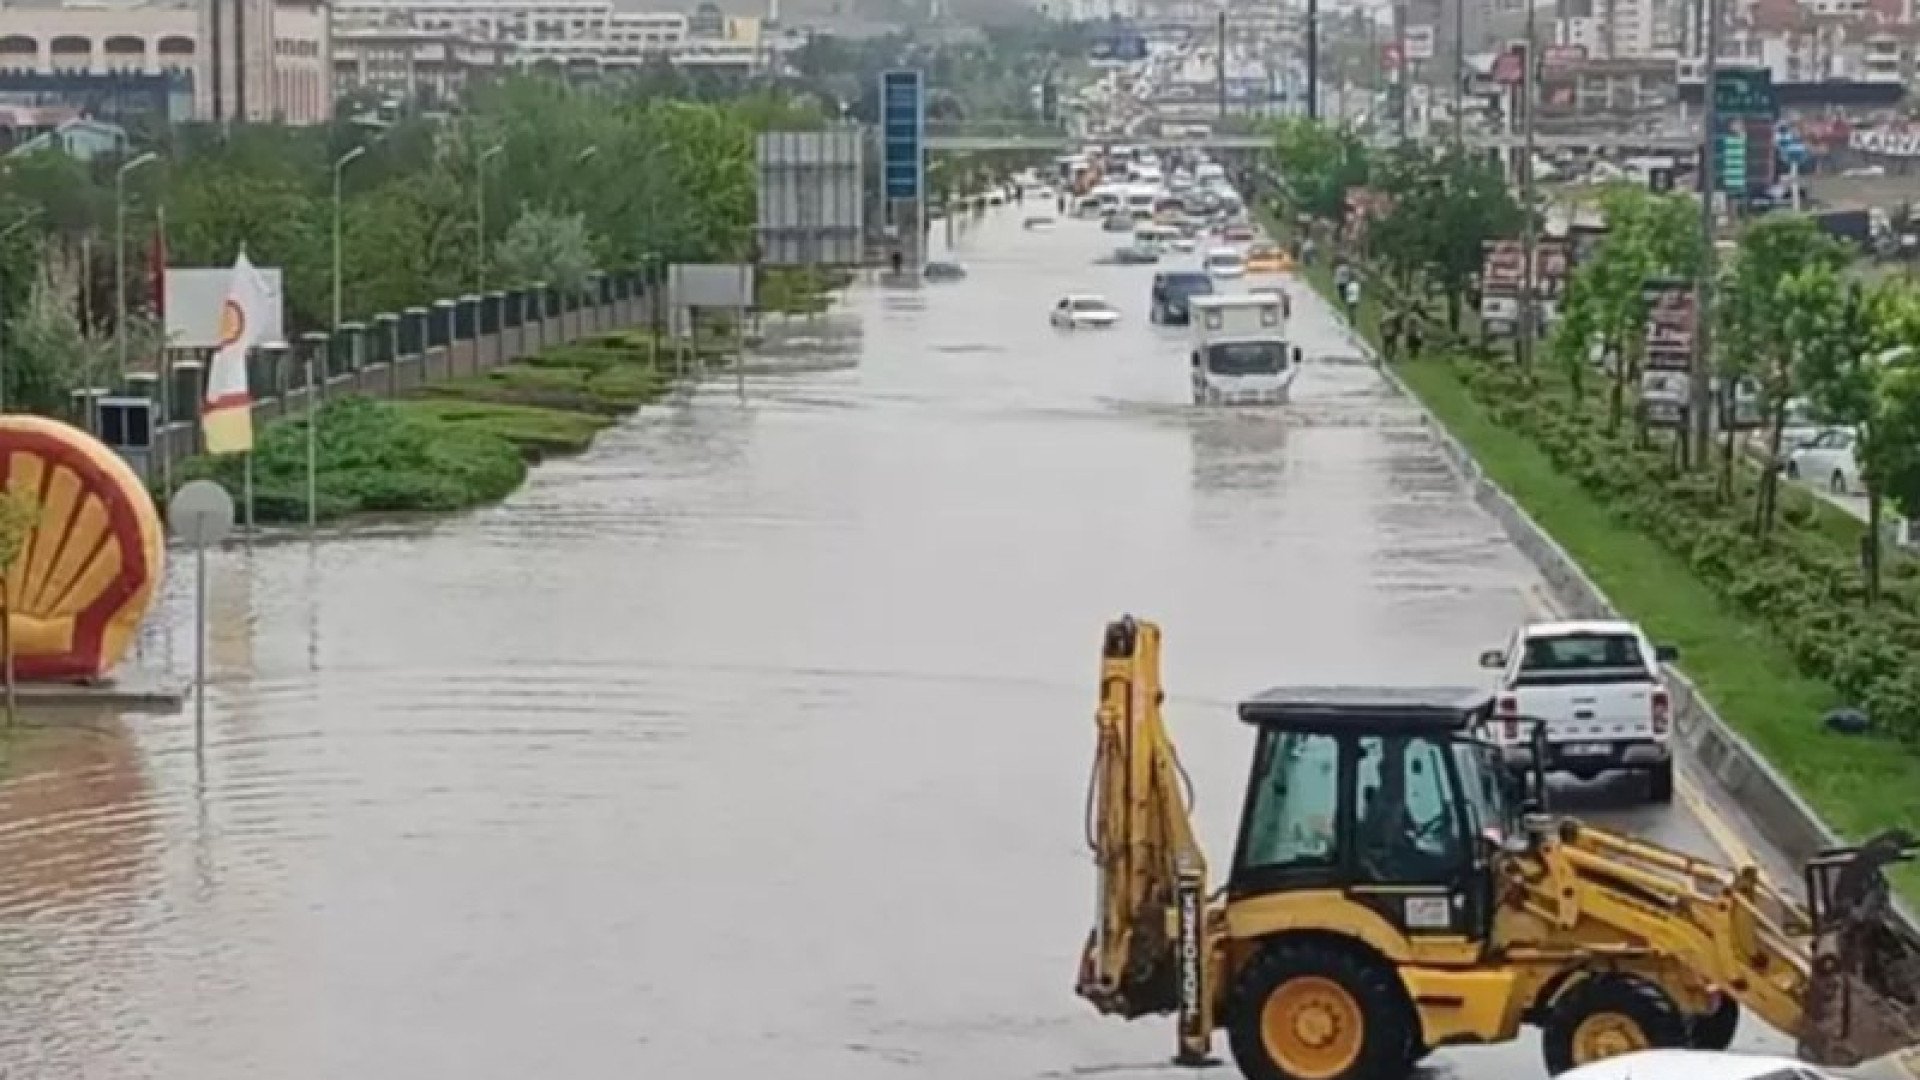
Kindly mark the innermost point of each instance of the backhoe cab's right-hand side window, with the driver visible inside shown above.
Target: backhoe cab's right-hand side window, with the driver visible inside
(1406, 825)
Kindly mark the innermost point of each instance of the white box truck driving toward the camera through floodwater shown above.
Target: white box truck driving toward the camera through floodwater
(1241, 353)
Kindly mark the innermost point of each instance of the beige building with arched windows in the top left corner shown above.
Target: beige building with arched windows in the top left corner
(258, 61)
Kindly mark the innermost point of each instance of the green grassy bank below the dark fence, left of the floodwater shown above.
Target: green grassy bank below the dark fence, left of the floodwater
(448, 447)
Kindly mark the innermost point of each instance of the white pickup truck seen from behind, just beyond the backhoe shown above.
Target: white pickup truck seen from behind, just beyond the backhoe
(1600, 693)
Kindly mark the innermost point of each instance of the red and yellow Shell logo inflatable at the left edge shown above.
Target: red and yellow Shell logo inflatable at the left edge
(87, 572)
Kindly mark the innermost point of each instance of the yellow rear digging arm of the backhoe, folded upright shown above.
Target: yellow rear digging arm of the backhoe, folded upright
(1151, 937)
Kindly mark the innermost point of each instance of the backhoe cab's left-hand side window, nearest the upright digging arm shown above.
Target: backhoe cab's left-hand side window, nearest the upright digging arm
(1297, 802)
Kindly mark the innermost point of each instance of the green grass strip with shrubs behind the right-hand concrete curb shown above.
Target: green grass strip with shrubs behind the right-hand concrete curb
(1700, 585)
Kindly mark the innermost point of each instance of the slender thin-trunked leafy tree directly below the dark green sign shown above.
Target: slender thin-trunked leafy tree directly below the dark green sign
(1758, 312)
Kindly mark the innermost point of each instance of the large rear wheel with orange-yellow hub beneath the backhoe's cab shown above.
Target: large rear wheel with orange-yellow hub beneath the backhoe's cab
(1314, 1012)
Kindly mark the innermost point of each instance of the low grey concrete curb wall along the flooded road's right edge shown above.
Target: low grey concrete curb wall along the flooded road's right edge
(1779, 814)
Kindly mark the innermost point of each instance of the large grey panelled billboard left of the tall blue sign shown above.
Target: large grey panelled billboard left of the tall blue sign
(811, 197)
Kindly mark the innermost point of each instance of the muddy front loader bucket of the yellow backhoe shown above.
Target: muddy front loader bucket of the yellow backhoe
(1863, 1000)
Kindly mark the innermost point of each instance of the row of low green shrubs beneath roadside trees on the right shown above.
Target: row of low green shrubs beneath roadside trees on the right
(1804, 581)
